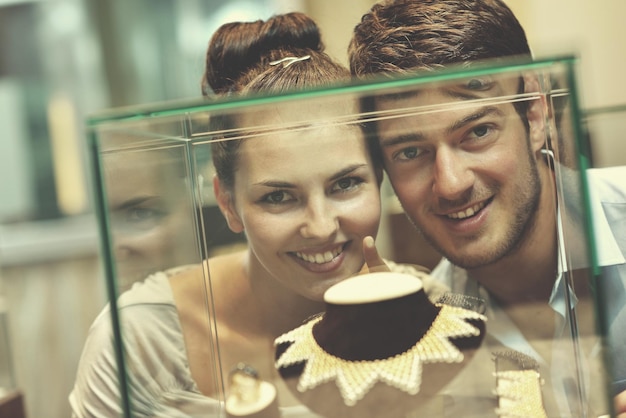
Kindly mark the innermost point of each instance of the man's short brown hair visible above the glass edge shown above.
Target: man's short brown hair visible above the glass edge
(397, 36)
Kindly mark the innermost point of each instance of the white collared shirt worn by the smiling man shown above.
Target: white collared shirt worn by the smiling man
(604, 185)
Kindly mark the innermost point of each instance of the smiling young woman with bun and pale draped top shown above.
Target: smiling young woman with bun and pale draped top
(305, 198)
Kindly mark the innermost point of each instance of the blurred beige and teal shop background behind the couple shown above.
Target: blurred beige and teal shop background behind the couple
(62, 60)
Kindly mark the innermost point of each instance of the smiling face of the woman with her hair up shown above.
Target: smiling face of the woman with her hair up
(306, 198)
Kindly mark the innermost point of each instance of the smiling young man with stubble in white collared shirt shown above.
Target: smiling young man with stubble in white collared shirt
(478, 183)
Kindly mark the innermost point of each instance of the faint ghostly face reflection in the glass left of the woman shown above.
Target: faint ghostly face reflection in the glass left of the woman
(150, 217)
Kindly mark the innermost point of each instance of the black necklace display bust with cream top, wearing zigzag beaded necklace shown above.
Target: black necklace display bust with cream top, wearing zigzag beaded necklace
(379, 338)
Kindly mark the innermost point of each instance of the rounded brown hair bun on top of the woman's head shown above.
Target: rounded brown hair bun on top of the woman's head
(237, 47)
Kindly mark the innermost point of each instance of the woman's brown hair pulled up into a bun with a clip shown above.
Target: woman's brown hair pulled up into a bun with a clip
(238, 62)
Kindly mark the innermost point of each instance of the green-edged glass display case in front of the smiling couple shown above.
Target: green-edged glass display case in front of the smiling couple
(227, 225)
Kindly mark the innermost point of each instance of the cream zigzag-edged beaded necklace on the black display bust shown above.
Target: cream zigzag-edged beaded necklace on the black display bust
(403, 371)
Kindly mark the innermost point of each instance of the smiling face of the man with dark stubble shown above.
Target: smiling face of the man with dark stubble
(466, 176)
